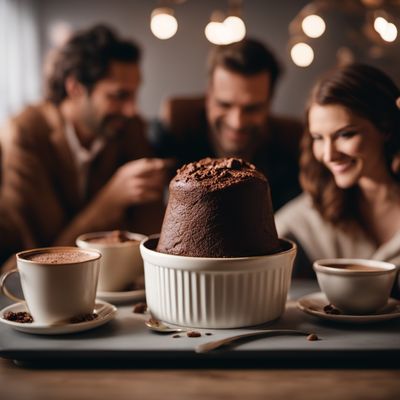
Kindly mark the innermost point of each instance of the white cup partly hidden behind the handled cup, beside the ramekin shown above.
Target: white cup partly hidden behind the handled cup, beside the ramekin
(121, 262)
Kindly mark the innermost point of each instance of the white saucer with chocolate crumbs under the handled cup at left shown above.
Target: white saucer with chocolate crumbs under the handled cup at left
(105, 312)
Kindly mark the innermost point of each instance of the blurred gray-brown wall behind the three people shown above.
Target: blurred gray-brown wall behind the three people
(177, 65)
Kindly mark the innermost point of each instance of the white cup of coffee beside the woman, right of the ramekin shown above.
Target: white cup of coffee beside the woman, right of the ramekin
(355, 286)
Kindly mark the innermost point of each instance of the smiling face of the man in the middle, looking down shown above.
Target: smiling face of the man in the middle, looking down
(237, 110)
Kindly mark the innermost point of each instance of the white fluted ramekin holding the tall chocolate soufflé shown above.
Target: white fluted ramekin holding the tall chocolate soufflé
(217, 292)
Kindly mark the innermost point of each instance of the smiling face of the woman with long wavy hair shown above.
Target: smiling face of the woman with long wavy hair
(348, 145)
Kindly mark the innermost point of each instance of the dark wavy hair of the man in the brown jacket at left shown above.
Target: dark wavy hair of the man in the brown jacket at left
(87, 56)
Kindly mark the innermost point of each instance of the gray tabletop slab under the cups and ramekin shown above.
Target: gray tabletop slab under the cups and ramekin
(127, 339)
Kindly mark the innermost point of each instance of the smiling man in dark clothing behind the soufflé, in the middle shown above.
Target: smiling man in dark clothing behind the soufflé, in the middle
(234, 119)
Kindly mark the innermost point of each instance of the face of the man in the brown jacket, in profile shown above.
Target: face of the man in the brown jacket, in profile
(108, 107)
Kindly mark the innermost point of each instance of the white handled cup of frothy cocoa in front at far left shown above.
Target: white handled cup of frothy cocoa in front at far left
(58, 283)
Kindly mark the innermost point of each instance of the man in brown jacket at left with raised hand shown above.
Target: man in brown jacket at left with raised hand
(79, 161)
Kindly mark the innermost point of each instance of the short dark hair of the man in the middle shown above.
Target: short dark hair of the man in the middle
(247, 57)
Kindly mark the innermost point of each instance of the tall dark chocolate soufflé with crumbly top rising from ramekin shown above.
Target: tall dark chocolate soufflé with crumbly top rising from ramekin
(219, 208)
